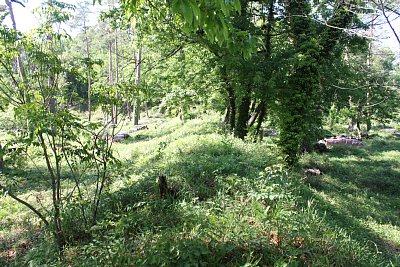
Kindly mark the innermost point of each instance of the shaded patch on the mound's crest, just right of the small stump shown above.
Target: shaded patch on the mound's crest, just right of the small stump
(204, 166)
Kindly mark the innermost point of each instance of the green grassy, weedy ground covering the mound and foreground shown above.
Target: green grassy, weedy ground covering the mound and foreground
(232, 205)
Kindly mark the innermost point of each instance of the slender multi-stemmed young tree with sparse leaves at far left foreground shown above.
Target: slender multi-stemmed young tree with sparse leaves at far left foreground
(48, 125)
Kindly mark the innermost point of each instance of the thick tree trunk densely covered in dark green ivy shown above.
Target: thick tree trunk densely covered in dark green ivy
(299, 116)
